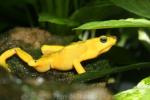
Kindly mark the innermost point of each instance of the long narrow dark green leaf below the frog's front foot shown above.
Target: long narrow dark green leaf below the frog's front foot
(103, 72)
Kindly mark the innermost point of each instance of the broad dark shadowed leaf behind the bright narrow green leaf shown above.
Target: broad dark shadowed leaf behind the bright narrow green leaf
(98, 11)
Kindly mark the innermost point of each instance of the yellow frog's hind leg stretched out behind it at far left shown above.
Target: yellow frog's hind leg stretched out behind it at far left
(22, 54)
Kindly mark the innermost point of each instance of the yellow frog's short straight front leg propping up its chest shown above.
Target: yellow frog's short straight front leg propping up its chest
(78, 67)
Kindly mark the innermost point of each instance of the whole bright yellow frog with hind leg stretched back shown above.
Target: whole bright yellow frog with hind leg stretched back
(63, 57)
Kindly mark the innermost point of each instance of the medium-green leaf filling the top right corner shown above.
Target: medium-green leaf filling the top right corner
(139, 7)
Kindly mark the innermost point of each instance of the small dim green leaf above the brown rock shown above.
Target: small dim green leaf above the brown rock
(57, 20)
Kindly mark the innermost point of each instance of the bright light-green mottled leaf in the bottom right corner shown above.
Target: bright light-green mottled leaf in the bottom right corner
(140, 92)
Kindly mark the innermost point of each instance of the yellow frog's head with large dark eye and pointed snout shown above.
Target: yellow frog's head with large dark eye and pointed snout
(104, 43)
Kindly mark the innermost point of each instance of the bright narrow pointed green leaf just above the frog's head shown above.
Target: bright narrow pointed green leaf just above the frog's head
(130, 22)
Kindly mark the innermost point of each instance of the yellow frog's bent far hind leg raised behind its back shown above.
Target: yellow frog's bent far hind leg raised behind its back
(47, 49)
